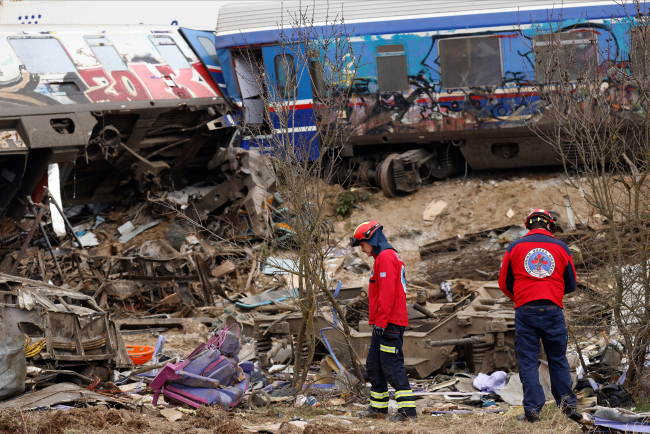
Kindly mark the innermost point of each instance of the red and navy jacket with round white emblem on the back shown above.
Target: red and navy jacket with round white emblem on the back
(537, 267)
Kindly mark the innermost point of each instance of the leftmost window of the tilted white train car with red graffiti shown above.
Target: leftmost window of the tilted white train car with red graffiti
(43, 55)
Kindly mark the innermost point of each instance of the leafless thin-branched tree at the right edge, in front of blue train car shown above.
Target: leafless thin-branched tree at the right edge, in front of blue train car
(595, 115)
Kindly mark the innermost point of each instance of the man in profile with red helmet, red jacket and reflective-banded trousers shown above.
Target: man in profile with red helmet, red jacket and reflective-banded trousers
(387, 300)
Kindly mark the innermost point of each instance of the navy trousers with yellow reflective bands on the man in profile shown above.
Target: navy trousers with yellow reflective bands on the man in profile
(385, 364)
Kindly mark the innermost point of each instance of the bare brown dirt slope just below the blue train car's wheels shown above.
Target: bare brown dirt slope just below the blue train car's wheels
(475, 203)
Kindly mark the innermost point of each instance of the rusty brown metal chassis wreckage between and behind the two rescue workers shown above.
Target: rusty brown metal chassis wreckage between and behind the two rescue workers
(479, 329)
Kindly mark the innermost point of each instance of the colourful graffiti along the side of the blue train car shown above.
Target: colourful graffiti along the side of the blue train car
(430, 106)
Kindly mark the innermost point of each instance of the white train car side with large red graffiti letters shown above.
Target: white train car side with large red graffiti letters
(76, 67)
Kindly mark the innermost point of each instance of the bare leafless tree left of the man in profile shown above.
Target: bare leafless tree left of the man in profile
(303, 140)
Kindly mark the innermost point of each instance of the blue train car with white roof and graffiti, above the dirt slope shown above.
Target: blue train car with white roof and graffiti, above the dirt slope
(444, 83)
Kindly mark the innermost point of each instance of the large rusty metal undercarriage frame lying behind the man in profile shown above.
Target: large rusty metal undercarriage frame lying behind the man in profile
(477, 327)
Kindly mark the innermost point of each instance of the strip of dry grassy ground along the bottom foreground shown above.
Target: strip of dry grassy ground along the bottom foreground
(101, 420)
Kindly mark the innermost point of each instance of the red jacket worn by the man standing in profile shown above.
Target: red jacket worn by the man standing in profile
(387, 290)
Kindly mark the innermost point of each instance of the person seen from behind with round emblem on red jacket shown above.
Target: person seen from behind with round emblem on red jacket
(536, 272)
